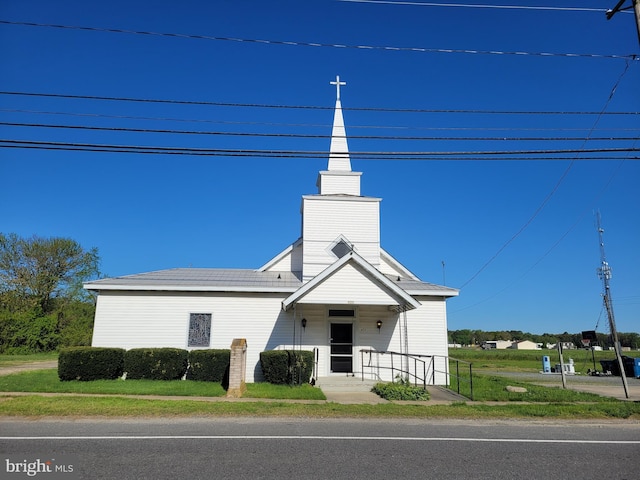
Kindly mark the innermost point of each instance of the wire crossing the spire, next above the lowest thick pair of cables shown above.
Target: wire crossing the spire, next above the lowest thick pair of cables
(305, 135)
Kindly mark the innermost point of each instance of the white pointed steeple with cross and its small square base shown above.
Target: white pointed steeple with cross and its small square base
(338, 179)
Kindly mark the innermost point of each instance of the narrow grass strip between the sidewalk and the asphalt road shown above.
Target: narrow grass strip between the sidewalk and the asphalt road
(36, 407)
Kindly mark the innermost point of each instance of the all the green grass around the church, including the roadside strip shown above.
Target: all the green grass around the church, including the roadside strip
(537, 402)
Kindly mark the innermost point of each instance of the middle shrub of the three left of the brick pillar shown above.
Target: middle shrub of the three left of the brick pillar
(156, 363)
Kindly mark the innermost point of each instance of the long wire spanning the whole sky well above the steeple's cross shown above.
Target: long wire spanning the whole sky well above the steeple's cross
(316, 45)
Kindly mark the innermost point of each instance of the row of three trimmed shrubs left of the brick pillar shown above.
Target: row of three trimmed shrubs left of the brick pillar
(93, 363)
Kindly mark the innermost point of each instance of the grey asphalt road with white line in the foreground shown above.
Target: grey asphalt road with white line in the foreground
(247, 448)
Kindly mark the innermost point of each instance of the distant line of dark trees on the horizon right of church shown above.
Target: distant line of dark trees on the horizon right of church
(469, 337)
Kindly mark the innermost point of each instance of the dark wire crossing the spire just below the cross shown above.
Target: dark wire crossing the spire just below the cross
(312, 107)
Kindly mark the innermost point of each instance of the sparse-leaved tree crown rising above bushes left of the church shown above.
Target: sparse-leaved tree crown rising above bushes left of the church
(36, 271)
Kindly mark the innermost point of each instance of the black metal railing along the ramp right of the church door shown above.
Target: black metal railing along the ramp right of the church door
(420, 369)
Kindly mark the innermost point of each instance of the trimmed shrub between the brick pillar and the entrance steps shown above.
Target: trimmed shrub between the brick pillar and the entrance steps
(287, 366)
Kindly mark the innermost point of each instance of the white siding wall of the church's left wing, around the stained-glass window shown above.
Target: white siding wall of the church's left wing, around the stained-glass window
(161, 319)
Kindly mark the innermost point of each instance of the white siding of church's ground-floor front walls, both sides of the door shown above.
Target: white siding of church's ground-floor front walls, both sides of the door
(161, 319)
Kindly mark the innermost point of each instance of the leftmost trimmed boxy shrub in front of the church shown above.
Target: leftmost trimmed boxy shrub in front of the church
(90, 363)
